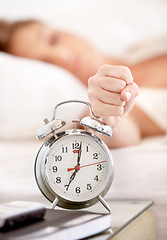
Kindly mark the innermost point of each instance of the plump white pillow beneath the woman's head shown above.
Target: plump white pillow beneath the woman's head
(29, 91)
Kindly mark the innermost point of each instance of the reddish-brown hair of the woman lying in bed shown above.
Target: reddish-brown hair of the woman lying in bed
(6, 31)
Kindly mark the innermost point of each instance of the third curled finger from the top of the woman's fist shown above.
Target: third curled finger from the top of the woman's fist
(106, 97)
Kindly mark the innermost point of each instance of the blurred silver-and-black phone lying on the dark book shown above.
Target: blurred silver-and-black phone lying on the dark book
(18, 213)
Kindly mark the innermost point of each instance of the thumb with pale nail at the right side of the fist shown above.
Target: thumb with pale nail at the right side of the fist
(130, 92)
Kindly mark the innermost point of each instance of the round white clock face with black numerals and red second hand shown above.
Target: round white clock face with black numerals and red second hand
(78, 168)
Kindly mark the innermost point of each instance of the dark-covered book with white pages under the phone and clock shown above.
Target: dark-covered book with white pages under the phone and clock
(61, 225)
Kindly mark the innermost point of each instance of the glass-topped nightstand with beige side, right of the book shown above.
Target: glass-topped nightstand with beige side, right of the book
(126, 216)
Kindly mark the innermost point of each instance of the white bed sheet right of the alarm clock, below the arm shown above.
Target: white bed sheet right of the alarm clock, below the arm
(146, 164)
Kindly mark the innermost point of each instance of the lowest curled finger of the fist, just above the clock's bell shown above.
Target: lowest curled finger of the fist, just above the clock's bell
(103, 110)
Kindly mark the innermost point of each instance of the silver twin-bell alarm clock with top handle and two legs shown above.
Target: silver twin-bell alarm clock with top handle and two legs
(74, 168)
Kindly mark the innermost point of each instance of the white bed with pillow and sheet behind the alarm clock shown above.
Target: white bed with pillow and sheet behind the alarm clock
(140, 171)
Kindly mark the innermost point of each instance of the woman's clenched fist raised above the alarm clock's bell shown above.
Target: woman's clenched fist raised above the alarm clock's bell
(112, 92)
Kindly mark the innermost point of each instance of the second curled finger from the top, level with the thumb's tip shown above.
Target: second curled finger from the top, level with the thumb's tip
(107, 83)
